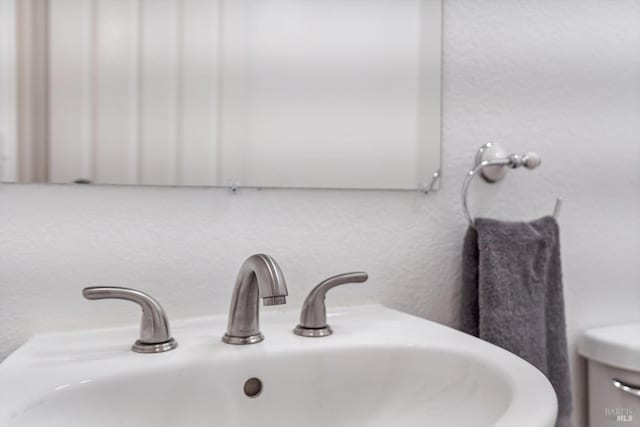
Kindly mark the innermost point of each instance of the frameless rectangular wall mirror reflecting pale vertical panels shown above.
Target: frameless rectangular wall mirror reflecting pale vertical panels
(257, 93)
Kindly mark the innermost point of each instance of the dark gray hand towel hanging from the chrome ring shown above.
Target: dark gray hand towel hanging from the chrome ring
(512, 296)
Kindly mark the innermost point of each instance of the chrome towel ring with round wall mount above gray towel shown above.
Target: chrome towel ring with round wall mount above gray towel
(490, 162)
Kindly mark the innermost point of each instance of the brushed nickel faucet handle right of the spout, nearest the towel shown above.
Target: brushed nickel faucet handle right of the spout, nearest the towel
(313, 318)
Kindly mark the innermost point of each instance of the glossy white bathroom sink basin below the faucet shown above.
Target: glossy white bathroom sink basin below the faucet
(380, 368)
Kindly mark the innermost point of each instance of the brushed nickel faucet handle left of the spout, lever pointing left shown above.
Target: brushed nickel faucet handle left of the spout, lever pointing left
(154, 328)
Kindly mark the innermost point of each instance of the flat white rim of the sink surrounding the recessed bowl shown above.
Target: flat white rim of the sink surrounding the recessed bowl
(354, 327)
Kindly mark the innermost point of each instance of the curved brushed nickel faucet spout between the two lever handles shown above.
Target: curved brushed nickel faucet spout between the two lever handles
(259, 277)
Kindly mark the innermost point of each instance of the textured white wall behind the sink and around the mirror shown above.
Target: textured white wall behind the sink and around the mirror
(558, 77)
